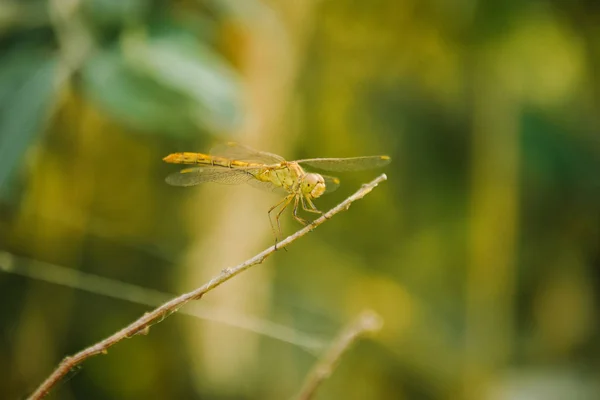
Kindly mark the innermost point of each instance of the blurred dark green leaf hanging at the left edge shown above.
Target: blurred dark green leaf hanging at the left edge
(27, 86)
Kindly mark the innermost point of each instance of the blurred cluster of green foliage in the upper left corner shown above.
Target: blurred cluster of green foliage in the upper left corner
(137, 70)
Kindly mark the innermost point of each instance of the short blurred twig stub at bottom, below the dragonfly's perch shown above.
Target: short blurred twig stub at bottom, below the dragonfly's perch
(367, 321)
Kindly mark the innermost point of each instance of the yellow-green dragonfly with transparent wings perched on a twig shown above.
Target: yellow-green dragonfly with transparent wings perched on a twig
(233, 163)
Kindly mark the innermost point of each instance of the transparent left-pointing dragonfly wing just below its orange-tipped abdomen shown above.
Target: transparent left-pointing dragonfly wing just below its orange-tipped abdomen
(195, 176)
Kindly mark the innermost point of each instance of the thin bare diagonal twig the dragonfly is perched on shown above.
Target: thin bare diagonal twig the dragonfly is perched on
(142, 325)
